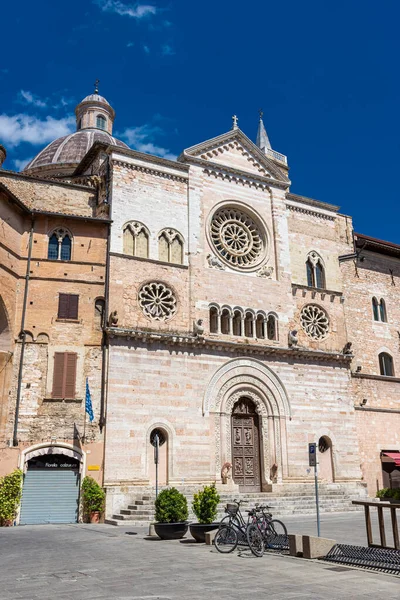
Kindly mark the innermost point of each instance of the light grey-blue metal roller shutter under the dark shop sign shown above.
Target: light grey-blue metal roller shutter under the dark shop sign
(50, 497)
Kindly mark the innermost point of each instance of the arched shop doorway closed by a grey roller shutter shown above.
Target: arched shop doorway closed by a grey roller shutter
(50, 492)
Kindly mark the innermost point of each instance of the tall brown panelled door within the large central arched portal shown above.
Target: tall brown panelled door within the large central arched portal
(246, 468)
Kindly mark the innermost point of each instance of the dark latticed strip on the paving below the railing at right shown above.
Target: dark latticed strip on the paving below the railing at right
(379, 559)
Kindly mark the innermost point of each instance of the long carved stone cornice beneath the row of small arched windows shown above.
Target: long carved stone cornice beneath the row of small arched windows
(193, 341)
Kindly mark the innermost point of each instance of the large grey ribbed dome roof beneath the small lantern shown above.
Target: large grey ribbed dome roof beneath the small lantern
(68, 151)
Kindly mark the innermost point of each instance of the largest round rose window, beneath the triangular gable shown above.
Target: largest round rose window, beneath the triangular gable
(237, 238)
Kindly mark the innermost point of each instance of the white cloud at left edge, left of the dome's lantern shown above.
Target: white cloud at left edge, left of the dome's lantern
(27, 128)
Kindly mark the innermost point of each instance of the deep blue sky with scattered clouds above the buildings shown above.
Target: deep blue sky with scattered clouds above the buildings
(325, 74)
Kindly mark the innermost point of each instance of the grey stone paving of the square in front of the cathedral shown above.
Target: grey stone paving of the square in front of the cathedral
(98, 562)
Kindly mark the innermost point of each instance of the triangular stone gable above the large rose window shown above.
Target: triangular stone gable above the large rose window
(235, 150)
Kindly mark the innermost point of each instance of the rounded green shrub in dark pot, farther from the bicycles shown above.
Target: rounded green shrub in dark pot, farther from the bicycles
(171, 515)
